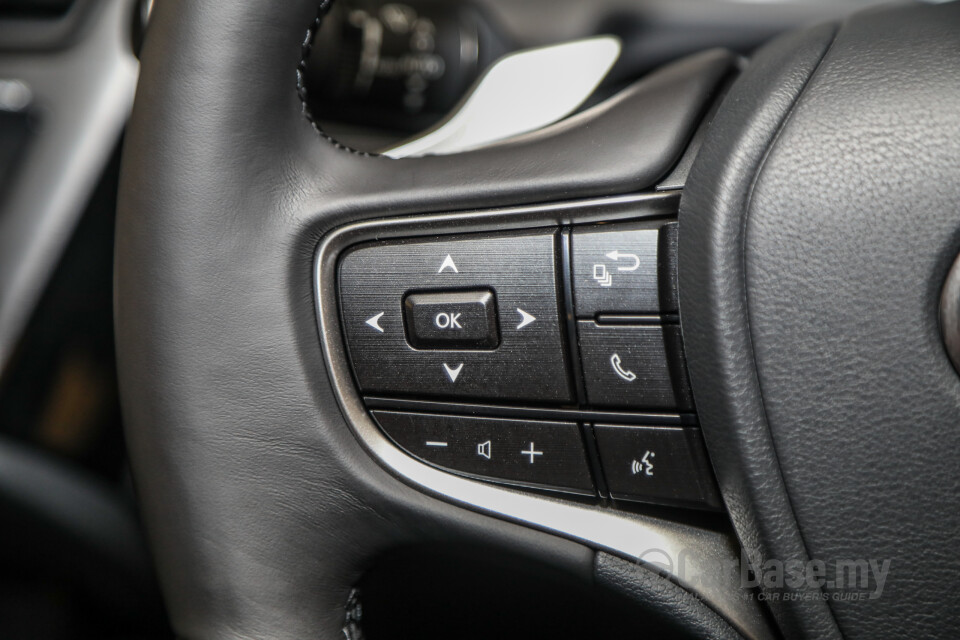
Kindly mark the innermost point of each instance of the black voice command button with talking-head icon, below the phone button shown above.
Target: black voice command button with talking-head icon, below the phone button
(666, 465)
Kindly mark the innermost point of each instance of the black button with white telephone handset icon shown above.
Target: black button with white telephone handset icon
(634, 366)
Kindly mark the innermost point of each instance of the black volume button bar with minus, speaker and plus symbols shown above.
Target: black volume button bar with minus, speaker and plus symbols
(534, 453)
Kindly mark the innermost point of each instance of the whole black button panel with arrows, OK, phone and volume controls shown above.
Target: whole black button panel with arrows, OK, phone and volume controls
(547, 357)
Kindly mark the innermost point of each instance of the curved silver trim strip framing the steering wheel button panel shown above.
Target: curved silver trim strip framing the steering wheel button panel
(703, 561)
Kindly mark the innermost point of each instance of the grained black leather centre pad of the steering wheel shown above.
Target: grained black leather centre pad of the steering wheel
(848, 231)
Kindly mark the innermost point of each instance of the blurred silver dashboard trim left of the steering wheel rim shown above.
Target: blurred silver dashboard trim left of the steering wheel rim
(83, 94)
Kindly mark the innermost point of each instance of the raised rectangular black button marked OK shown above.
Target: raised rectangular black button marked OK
(452, 320)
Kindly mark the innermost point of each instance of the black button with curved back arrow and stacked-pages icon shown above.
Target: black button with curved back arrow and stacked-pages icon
(625, 269)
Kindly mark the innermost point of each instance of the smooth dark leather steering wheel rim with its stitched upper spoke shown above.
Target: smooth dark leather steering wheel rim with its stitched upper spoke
(262, 507)
